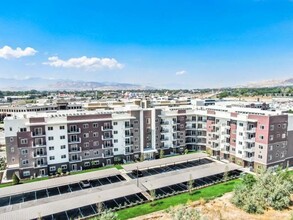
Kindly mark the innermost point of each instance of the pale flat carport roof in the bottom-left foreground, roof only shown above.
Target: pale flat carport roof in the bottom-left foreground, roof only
(70, 203)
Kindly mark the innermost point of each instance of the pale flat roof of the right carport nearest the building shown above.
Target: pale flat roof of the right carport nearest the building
(169, 160)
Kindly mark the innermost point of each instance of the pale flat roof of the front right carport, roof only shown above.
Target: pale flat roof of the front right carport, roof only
(198, 172)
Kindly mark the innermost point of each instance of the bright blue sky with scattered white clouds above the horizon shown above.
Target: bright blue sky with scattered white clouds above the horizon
(159, 43)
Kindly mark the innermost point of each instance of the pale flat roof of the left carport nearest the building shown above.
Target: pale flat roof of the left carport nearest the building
(58, 181)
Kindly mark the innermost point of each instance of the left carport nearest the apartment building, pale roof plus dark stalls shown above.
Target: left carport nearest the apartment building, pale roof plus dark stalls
(61, 185)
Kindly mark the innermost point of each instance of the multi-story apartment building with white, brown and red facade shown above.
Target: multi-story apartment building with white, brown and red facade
(40, 143)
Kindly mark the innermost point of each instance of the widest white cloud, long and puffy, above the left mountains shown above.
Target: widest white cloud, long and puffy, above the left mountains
(88, 63)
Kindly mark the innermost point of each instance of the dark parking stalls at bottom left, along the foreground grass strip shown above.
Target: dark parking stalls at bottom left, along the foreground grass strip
(93, 209)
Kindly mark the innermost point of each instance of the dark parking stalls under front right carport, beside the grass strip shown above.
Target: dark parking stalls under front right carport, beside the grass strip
(180, 187)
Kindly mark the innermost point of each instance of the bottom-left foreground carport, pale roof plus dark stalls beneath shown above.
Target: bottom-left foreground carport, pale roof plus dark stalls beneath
(83, 206)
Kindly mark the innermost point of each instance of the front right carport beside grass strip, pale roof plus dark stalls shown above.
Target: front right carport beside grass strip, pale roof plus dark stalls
(204, 175)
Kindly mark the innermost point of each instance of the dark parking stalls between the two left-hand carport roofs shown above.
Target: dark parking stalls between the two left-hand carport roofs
(54, 191)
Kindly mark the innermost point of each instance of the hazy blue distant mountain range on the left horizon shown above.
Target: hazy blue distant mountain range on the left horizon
(61, 84)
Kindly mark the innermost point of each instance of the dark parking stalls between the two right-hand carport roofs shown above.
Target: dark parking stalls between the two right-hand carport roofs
(171, 167)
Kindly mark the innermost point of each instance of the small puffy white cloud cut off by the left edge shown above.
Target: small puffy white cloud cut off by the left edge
(8, 53)
